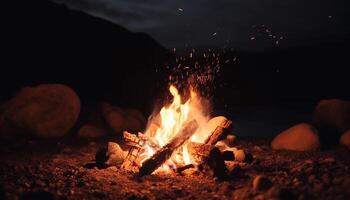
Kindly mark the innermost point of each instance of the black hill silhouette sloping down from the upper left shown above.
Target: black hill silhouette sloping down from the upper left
(44, 42)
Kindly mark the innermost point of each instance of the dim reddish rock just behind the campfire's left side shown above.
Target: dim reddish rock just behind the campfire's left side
(120, 120)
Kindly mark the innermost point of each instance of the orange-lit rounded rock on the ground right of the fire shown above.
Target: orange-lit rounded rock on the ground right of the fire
(301, 137)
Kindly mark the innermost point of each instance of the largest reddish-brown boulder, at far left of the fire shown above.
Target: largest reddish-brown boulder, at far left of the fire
(45, 111)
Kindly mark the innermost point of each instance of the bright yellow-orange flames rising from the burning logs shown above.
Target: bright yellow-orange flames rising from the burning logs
(171, 120)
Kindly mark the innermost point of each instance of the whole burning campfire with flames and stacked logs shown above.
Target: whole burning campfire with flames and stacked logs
(181, 136)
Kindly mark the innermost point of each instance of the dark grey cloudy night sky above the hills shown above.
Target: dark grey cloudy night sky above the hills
(241, 24)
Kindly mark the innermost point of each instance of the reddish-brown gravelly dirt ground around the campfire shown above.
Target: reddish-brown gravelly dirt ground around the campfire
(57, 170)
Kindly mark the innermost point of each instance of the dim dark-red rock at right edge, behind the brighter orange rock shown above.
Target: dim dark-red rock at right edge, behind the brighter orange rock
(334, 114)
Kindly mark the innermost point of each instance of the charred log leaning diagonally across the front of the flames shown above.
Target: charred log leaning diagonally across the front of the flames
(166, 151)
